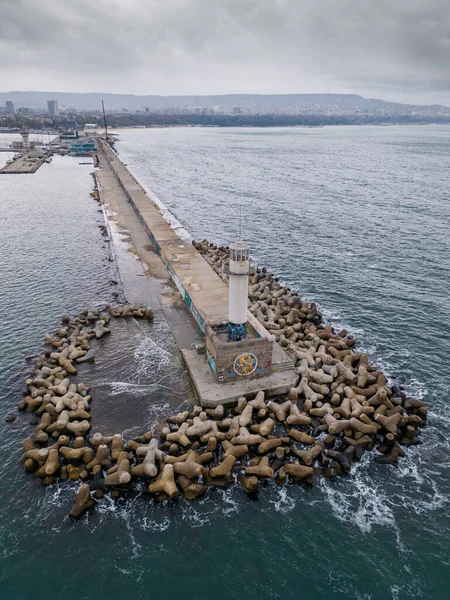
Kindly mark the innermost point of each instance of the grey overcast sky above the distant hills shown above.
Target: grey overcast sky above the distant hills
(390, 49)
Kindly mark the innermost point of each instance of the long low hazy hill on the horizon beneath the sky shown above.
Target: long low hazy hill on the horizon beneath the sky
(347, 103)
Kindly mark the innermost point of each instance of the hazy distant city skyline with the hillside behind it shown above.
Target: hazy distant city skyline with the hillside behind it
(283, 104)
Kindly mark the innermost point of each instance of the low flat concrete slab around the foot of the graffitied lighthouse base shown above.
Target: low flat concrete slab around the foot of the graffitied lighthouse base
(210, 393)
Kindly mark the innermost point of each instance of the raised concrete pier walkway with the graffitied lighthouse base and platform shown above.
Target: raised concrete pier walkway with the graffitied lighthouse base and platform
(207, 298)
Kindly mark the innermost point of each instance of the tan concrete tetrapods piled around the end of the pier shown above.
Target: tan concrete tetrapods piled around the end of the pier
(340, 408)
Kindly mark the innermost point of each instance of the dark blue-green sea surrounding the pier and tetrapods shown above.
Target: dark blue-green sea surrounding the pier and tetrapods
(354, 218)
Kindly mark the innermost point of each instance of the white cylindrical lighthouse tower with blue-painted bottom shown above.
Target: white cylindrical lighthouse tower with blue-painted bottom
(239, 269)
